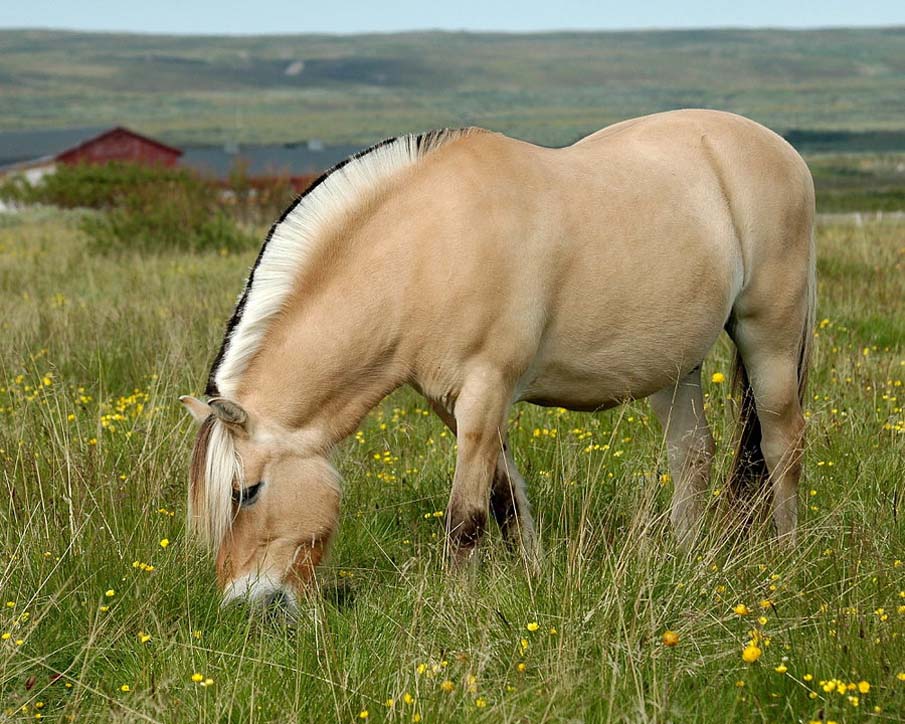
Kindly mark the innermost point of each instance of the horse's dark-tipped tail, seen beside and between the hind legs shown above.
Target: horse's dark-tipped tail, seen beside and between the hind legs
(748, 472)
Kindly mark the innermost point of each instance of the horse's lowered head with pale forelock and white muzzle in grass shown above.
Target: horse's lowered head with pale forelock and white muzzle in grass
(266, 509)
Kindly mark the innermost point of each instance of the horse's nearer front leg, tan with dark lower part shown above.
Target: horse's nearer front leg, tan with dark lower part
(480, 416)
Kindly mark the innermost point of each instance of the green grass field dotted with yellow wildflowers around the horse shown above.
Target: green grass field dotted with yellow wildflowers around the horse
(108, 613)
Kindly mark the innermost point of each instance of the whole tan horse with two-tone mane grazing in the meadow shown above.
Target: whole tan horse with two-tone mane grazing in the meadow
(483, 271)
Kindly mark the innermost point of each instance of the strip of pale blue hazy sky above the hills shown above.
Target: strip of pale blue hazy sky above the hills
(345, 16)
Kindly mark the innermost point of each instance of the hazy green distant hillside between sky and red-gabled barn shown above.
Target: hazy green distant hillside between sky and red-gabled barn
(550, 88)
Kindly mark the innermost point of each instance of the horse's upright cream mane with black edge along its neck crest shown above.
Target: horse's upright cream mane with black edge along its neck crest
(293, 238)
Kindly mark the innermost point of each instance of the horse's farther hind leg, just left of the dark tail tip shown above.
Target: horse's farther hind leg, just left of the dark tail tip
(690, 449)
